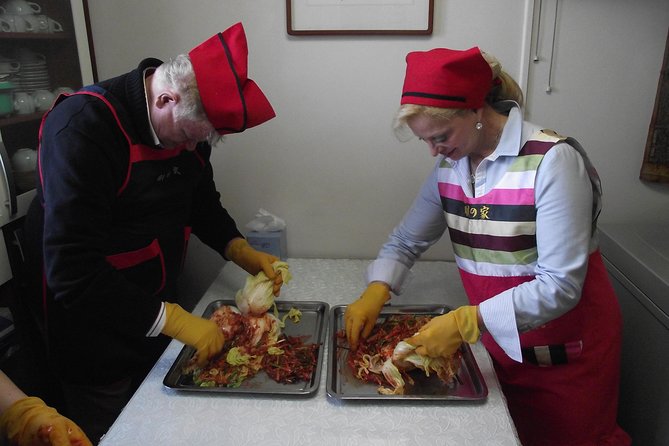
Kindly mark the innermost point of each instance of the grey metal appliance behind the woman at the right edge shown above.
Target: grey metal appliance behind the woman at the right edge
(637, 259)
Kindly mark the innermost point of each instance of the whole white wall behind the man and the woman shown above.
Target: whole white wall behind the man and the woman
(329, 163)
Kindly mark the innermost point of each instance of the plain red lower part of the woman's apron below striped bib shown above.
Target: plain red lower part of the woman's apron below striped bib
(573, 398)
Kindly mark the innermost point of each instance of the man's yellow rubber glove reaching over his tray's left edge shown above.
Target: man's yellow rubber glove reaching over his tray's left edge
(197, 332)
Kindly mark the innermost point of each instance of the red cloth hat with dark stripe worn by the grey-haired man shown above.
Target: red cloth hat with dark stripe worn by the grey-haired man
(232, 101)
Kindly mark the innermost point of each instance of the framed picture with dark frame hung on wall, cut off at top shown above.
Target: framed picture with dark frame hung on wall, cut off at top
(359, 17)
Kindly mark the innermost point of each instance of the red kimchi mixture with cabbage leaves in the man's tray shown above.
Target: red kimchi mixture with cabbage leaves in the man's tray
(255, 344)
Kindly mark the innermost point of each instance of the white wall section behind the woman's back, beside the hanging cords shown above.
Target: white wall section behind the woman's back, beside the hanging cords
(606, 67)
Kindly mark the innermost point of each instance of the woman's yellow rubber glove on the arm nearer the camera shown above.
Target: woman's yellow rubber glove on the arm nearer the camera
(443, 335)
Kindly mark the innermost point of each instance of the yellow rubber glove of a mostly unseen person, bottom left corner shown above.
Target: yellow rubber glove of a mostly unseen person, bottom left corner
(30, 422)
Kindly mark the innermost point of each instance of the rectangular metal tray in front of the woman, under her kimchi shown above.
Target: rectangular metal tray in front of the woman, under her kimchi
(341, 384)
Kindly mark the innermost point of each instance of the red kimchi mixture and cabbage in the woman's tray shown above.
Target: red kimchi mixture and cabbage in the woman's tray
(372, 362)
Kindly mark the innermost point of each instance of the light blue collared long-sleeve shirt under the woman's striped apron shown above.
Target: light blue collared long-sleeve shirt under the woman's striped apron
(564, 202)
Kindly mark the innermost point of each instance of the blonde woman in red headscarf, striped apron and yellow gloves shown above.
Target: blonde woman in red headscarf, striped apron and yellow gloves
(520, 204)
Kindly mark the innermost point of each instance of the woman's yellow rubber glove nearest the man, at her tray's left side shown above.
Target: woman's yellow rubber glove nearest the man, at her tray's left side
(361, 315)
